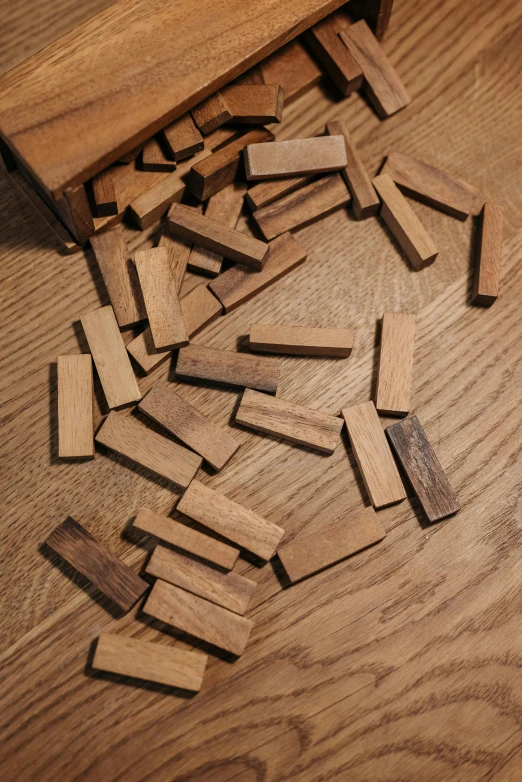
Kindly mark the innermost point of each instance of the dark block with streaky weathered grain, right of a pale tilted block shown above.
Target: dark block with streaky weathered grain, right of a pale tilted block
(419, 461)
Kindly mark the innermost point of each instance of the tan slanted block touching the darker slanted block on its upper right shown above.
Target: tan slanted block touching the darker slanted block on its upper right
(125, 435)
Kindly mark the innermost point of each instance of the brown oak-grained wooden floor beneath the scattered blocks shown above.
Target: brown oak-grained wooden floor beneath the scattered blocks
(403, 663)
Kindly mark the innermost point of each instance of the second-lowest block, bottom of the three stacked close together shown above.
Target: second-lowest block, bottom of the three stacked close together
(198, 617)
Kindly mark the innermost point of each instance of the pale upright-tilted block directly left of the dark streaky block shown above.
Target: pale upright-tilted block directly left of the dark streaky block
(373, 455)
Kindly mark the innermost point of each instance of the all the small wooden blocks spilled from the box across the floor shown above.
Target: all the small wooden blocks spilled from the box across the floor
(286, 185)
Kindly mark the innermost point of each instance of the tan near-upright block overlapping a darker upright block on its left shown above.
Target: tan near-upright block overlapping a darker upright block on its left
(159, 287)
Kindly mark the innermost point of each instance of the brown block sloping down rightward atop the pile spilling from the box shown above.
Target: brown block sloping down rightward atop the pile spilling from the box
(217, 237)
